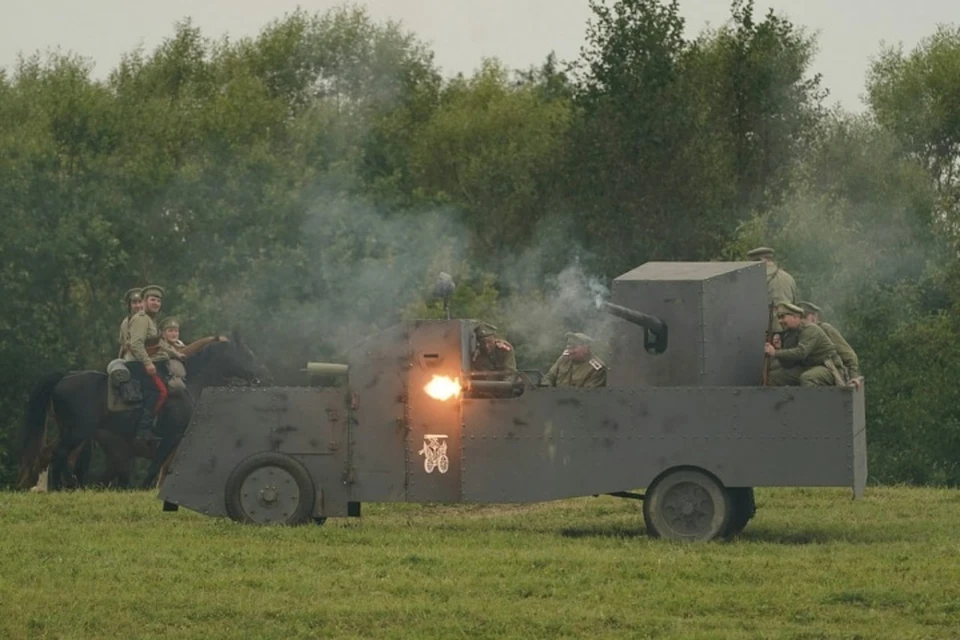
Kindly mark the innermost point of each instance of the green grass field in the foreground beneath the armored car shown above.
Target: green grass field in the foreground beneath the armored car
(812, 564)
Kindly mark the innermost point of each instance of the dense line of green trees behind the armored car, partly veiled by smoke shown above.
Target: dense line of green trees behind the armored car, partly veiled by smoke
(306, 185)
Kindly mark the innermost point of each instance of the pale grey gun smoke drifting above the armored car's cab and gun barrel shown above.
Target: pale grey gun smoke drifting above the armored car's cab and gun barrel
(358, 271)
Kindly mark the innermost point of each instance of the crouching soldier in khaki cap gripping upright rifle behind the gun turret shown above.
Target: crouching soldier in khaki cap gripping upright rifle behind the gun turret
(811, 363)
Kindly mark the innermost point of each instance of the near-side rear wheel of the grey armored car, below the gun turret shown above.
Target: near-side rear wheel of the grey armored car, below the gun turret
(687, 505)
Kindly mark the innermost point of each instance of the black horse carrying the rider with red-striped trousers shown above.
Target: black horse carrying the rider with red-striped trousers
(78, 402)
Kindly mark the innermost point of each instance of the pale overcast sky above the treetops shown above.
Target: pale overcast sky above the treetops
(519, 32)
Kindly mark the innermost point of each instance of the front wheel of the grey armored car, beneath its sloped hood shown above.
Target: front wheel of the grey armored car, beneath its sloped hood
(270, 488)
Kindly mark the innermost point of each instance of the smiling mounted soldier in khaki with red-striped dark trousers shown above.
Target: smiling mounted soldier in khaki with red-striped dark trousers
(147, 360)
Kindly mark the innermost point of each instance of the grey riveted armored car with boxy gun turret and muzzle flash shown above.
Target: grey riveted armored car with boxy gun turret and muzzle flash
(682, 416)
